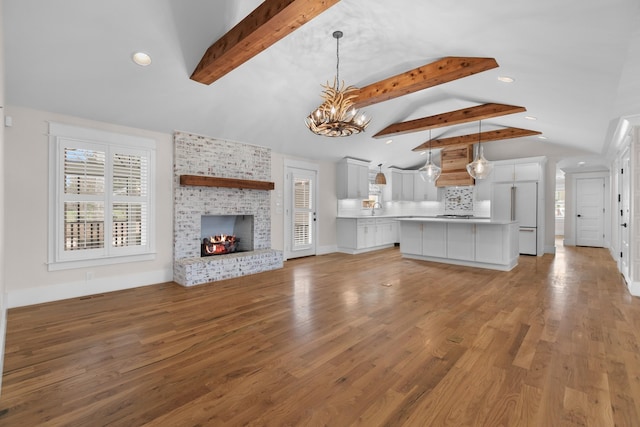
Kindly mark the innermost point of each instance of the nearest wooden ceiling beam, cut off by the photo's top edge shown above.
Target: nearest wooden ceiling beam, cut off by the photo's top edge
(268, 23)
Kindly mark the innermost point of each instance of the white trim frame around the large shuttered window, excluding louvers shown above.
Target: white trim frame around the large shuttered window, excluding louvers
(59, 132)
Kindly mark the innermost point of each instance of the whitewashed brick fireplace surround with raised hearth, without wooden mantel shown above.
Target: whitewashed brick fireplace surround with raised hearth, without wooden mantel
(199, 155)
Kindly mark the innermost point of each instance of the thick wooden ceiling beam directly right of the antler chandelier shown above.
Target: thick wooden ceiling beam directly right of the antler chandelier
(438, 72)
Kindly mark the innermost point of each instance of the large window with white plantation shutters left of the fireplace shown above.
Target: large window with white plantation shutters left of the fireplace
(101, 197)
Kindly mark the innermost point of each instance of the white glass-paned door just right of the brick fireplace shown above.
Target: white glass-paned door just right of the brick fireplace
(300, 215)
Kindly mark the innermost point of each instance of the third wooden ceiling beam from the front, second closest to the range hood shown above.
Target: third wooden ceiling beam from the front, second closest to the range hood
(465, 115)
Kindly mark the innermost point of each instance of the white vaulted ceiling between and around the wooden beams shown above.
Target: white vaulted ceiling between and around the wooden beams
(575, 64)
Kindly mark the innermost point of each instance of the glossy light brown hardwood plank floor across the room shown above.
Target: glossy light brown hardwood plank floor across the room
(339, 340)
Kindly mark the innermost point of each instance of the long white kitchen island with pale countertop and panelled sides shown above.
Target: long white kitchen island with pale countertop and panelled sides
(474, 242)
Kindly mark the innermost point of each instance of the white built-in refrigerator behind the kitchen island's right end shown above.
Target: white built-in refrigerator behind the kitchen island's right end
(518, 201)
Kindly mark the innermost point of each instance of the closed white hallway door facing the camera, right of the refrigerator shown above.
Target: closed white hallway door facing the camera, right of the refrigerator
(590, 212)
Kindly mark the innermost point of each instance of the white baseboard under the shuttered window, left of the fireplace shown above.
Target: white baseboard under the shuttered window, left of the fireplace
(42, 294)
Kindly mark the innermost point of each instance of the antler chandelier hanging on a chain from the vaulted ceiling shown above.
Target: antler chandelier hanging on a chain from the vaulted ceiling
(337, 116)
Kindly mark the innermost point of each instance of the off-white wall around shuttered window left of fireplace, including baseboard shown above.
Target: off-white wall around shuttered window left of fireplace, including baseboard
(27, 279)
